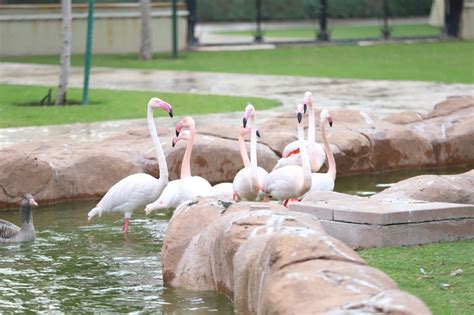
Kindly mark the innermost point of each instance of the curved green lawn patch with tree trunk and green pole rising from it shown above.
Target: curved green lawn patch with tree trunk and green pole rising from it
(108, 105)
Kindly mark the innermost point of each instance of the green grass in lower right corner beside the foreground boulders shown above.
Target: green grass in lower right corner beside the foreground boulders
(442, 292)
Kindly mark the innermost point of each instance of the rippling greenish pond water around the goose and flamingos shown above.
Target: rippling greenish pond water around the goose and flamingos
(74, 266)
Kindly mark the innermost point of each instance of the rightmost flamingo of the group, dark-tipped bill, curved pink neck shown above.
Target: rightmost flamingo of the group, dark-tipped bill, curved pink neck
(325, 181)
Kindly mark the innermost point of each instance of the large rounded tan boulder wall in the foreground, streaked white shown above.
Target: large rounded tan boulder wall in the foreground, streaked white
(273, 261)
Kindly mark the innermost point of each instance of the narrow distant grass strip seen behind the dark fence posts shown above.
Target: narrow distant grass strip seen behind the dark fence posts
(346, 31)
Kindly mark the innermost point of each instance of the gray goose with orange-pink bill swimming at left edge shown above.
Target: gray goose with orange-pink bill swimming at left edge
(10, 233)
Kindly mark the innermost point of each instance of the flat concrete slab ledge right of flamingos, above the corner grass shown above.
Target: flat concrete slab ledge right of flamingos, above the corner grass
(369, 222)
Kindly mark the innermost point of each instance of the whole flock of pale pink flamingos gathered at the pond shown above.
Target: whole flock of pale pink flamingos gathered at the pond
(293, 177)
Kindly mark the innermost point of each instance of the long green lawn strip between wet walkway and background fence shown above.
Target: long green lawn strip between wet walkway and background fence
(440, 61)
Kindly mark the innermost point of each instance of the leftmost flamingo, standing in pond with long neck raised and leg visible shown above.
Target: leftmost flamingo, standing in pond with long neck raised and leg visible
(137, 190)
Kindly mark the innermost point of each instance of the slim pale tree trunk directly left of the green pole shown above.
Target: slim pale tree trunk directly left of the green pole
(65, 52)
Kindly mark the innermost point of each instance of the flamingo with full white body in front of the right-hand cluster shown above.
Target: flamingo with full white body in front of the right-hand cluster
(291, 181)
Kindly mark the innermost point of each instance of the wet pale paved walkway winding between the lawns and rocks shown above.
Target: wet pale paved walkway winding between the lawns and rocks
(380, 97)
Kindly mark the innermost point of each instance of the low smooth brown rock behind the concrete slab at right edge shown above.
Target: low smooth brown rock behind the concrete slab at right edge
(441, 188)
